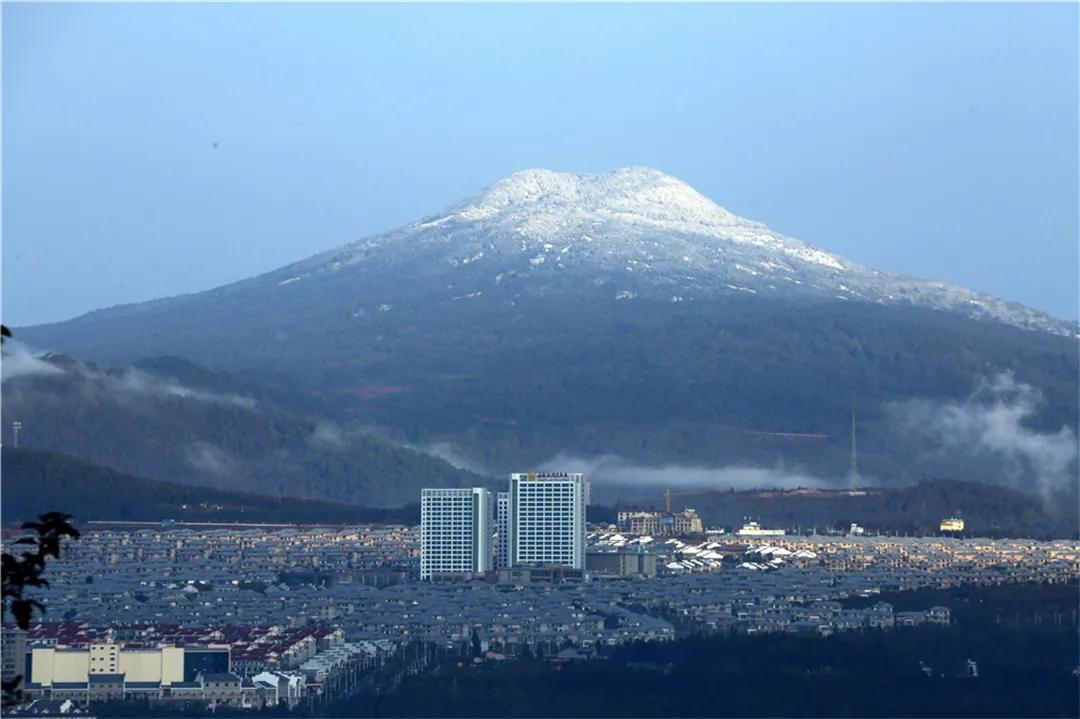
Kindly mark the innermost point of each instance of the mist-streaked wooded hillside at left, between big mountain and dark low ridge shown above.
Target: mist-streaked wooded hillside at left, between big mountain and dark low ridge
(158, 427)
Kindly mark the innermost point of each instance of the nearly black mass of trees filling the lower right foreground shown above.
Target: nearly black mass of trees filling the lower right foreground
(1025, 670)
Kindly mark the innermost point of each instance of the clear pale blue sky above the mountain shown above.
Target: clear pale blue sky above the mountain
(151, 151)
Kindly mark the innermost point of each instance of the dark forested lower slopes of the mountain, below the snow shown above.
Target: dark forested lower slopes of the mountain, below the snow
(517, 382)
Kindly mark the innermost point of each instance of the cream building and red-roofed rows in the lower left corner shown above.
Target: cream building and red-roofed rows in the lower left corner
(240, 667)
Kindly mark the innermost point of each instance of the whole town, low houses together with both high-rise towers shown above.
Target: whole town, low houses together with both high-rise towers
(261, 617)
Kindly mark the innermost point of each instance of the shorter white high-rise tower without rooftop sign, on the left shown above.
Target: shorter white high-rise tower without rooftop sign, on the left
(455, 532)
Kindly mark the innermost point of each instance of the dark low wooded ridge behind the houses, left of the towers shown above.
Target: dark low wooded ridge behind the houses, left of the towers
(36, 481)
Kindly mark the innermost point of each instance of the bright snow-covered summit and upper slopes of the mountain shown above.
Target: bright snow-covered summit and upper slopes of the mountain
(634, 233)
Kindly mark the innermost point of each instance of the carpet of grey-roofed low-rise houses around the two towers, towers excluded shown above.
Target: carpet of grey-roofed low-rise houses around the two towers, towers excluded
(299, 614)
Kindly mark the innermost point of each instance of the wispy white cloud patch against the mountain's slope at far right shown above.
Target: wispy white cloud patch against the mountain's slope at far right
(992, 423)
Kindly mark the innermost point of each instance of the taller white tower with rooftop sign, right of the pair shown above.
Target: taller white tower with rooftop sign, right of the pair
(548, 519)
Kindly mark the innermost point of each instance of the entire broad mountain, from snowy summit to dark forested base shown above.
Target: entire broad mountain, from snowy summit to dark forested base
(623, 315)
